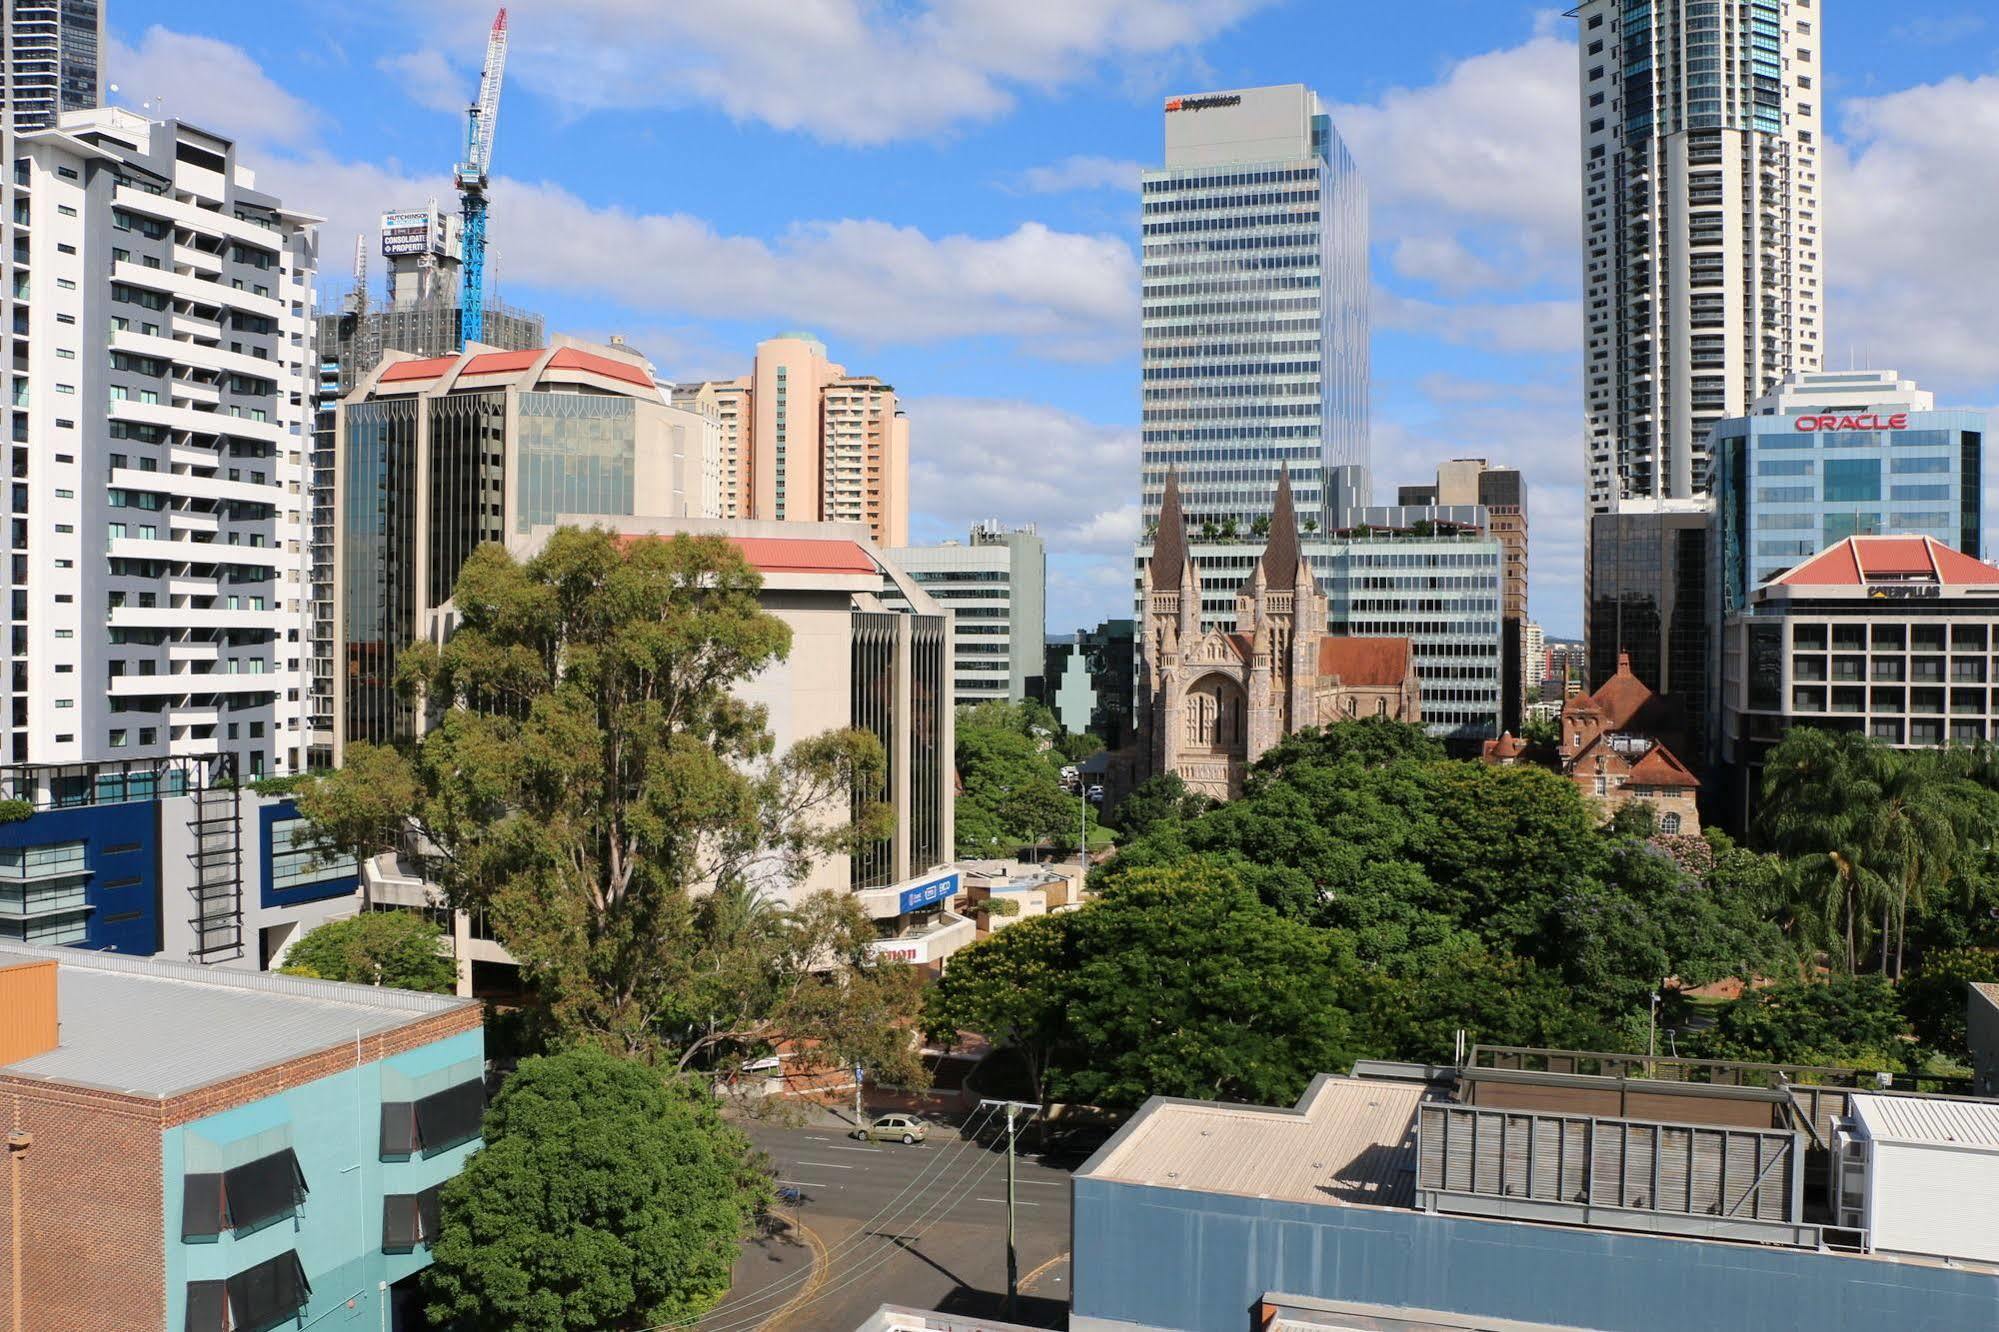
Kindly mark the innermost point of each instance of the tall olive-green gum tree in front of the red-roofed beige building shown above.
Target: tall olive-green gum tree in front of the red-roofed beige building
(591, 771)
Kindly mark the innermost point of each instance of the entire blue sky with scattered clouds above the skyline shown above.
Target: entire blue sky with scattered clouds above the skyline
(945, 191)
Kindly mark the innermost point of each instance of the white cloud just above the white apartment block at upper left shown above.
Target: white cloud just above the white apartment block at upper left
(211, 85)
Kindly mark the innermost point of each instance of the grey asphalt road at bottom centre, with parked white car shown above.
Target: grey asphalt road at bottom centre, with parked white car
(901, 1225)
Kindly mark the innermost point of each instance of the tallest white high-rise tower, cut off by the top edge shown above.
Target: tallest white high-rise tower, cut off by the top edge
(1702, 227)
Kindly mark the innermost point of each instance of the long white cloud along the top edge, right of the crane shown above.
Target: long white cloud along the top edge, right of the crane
(841, 71)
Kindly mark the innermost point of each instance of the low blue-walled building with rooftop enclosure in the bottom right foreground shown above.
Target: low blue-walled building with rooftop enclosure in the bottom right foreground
(1620, 1193)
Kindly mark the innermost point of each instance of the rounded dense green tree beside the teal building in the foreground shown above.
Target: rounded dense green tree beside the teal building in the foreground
(605, 1199)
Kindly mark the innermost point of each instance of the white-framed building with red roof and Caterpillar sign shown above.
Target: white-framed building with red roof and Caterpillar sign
(1890, 637)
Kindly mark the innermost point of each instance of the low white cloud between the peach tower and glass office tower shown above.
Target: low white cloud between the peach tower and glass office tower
(977, 459)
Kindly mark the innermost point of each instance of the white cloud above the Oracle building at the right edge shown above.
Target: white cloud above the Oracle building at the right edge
(1910, 235)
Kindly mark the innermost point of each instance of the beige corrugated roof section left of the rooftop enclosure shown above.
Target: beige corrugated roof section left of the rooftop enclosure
(1348, 1141)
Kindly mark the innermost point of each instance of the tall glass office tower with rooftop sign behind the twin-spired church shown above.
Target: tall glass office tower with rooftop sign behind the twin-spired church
(1256, 315)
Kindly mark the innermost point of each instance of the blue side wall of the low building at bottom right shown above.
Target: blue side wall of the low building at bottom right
(1178, 1259)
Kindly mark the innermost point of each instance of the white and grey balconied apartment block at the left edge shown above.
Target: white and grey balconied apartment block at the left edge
(159, 421)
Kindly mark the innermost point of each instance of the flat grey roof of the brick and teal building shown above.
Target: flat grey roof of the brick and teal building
(163, 1029)
